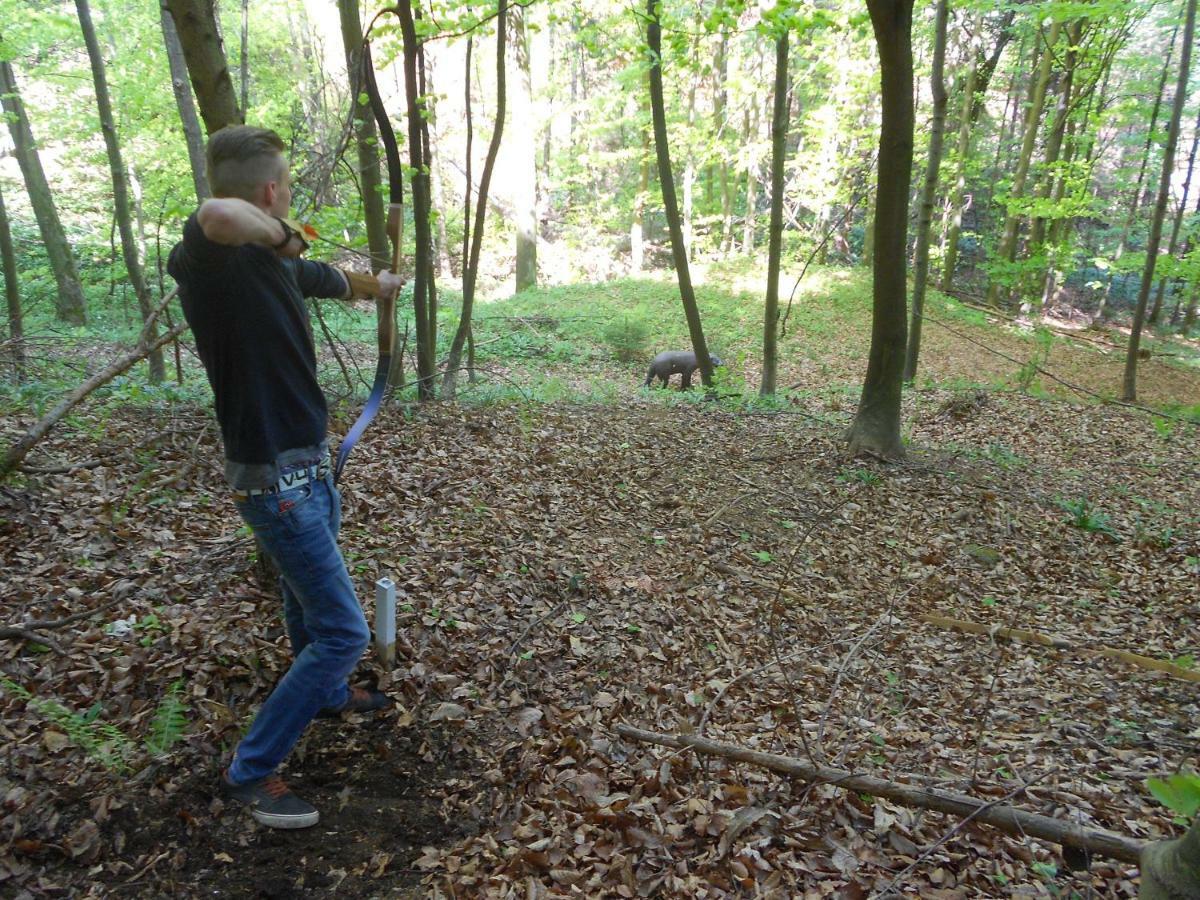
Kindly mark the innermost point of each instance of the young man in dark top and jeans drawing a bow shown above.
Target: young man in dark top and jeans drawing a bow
(243, 286)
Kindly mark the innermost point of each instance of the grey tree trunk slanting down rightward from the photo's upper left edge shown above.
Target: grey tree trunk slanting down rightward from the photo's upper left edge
(69, 302)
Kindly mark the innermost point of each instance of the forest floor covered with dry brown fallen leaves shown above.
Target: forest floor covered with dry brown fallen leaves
(565, 568)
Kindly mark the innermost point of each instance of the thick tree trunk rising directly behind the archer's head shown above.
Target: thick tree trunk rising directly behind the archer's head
(207, 67)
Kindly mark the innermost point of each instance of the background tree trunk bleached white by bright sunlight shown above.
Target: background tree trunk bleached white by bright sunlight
(525, 161)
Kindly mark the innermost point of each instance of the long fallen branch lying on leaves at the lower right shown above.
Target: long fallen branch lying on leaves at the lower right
(1007, 819)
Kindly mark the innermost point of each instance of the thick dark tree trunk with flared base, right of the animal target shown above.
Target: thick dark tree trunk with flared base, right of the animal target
(877, 427)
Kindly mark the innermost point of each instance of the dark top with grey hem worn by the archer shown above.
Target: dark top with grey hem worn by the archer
(247, 309)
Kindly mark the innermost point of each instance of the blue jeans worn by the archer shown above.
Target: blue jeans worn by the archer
(326, 625)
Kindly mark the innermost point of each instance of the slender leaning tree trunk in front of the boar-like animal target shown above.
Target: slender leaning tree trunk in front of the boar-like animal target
(670, 205)
